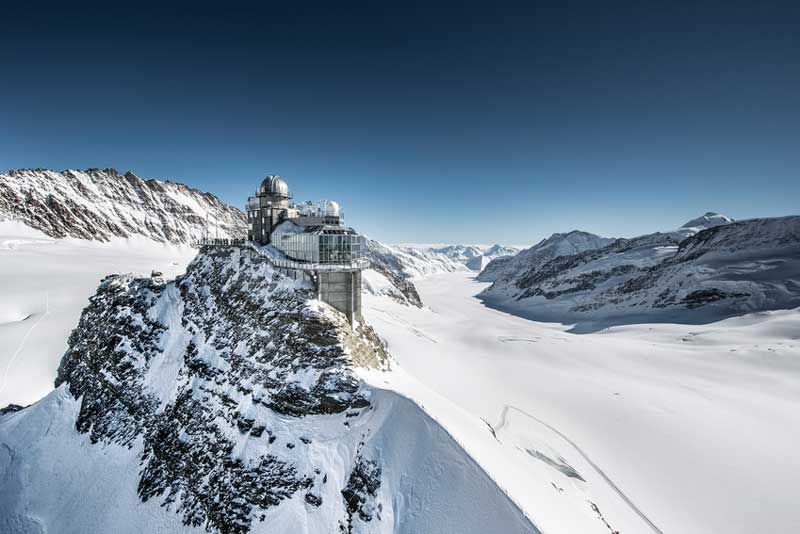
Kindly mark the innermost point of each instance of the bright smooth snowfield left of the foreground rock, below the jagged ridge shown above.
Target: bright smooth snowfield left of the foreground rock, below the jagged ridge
(44, 285)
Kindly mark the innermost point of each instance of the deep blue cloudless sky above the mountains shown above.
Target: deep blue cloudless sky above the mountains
(453, 123)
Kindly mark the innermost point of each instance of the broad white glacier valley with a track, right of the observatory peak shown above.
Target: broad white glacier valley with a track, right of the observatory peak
(694, 428)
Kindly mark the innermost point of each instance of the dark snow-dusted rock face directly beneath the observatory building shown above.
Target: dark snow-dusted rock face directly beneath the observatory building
(185, 367)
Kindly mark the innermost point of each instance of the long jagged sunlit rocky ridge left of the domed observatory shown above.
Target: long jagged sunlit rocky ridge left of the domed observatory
(100, 205)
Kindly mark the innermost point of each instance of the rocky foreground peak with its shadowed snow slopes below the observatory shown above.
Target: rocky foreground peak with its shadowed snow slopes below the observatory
(227, 401)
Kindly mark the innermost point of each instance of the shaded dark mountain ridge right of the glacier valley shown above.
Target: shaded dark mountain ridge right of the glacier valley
(722, 270)
